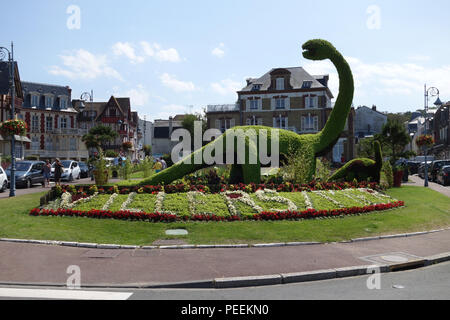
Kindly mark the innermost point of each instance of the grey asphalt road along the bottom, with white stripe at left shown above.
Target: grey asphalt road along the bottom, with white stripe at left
(428, 283)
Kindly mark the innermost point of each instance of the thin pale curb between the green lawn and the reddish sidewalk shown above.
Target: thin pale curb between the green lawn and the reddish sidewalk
(210, 246)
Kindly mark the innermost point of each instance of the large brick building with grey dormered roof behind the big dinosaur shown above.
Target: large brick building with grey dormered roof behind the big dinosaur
(286, 98)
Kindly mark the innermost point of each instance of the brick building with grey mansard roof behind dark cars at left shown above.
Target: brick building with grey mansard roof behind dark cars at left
(52, 123)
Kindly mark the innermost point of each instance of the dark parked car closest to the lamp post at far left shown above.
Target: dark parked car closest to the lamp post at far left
(28, 173)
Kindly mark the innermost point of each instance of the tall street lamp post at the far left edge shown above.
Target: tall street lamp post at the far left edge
(3, 52)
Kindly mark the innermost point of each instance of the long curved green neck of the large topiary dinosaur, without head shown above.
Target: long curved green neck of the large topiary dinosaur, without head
(338, 117)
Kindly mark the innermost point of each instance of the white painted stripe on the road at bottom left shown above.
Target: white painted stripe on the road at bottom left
(63, 294)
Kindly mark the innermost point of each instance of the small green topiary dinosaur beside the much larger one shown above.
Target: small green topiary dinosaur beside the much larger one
(361, 169)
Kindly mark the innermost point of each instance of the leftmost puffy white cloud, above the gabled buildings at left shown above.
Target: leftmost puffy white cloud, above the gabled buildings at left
(82, 64)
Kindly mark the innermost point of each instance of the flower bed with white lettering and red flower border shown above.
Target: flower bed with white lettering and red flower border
(237, 205)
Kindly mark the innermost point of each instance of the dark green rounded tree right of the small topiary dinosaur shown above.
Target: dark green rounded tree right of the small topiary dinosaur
(394, 138)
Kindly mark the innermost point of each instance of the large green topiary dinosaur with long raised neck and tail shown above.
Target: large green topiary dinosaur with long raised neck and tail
(312, 145)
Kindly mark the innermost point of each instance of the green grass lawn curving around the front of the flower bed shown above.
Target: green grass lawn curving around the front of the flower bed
(425, 210)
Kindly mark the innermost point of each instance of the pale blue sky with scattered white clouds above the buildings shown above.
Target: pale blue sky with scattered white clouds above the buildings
(174, 57)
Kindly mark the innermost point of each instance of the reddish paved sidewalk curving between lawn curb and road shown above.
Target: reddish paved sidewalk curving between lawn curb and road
(45, 264)
